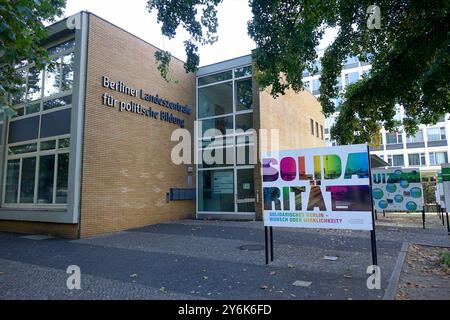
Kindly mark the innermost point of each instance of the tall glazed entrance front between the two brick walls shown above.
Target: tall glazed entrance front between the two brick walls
(226, 144)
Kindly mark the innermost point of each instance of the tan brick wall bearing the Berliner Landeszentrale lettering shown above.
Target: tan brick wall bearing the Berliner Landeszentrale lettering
(127, 167)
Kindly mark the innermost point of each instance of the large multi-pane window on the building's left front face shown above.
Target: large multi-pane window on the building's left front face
(38, 137)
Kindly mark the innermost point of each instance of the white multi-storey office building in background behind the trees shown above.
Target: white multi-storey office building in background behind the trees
(427, 150)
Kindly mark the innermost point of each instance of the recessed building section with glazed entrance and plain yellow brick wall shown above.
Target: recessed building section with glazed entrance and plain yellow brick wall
(246, 120)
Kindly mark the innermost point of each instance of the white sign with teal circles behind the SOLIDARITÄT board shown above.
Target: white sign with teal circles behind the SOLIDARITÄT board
(397, 189)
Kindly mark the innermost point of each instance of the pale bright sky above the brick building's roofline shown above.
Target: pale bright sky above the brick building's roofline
(133, 16)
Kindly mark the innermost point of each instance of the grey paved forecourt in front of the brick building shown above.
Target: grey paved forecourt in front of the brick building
(203, 260)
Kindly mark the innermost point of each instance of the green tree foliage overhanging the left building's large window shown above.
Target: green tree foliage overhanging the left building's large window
(22, 29)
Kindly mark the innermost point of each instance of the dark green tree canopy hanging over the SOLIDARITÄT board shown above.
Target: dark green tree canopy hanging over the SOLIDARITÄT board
(409, 53)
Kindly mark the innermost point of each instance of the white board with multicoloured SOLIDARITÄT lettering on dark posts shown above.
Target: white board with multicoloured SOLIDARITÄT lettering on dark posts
(325, 188)
